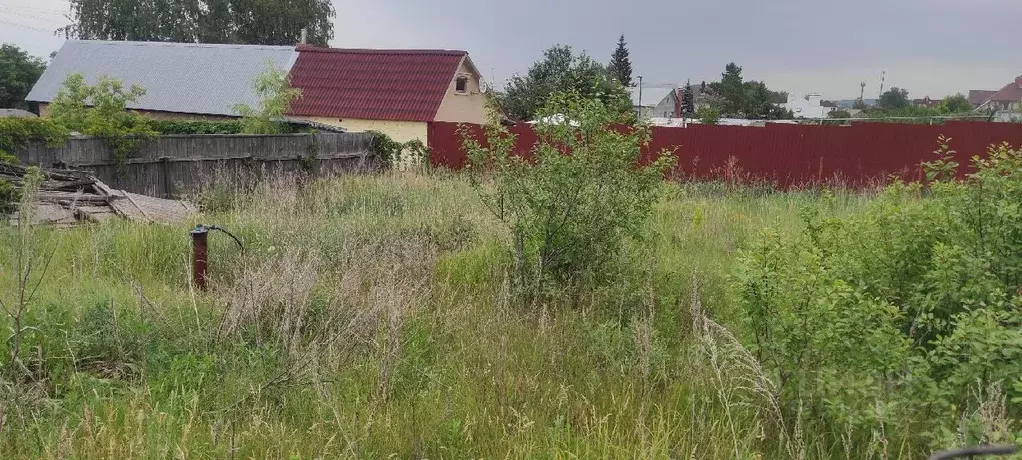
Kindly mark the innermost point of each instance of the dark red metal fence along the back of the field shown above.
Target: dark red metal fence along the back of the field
(787, 155)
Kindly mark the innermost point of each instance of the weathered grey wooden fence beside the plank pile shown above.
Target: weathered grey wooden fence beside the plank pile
(175, 165)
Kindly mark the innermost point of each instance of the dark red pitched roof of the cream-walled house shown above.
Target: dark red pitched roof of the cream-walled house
(404, 85)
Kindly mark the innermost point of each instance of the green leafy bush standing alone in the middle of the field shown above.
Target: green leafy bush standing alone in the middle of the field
(576, 203)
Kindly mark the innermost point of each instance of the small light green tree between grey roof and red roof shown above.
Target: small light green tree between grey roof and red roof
(274, 89)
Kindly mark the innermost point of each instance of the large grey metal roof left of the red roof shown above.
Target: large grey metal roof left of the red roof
(188, 78)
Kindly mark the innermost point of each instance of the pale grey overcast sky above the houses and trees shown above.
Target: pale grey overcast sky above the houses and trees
(931, 48)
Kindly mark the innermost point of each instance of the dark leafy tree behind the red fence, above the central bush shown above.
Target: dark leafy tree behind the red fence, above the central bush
(563, 71)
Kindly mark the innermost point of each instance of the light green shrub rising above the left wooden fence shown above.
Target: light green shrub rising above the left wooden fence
(101, 111)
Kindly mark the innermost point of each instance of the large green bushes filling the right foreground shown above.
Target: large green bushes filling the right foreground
(897, 314)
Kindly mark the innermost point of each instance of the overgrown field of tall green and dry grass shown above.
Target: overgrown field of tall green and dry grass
(374, 317)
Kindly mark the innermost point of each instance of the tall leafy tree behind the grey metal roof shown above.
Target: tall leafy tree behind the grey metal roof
(250, 22)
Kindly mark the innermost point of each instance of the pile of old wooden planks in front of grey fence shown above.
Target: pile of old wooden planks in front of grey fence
(67, 198)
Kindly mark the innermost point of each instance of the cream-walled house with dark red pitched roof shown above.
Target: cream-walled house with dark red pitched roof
(397, 93)
